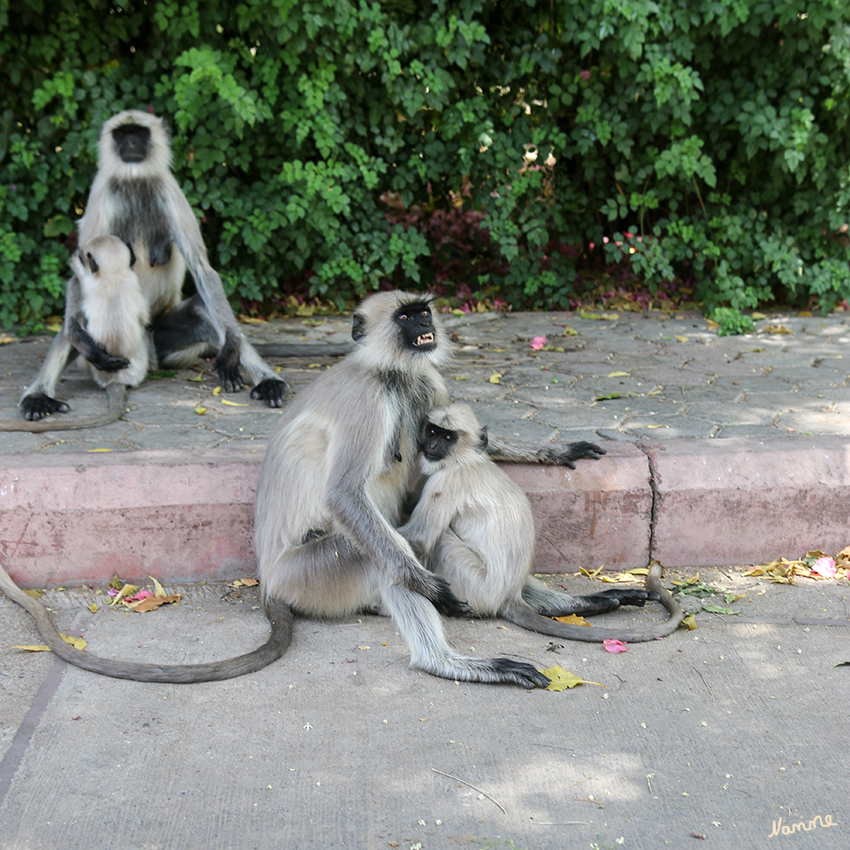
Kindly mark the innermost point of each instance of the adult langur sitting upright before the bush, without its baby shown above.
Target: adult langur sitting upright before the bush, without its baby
(136, 198)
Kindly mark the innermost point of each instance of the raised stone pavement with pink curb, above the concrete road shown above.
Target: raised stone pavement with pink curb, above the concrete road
(721, 450)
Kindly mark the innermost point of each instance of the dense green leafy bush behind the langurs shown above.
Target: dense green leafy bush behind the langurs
(505, 147)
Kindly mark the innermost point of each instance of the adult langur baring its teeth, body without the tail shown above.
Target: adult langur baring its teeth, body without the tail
(333, 484)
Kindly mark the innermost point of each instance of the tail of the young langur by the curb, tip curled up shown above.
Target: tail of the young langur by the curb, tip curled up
(522, 614)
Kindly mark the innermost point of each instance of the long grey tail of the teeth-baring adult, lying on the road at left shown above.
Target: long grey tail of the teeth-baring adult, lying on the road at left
(280, 617)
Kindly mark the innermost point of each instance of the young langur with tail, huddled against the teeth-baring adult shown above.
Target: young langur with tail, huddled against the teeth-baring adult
(473, 526)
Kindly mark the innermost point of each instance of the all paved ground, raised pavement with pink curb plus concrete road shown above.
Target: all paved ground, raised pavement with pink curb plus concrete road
(723, 452)
